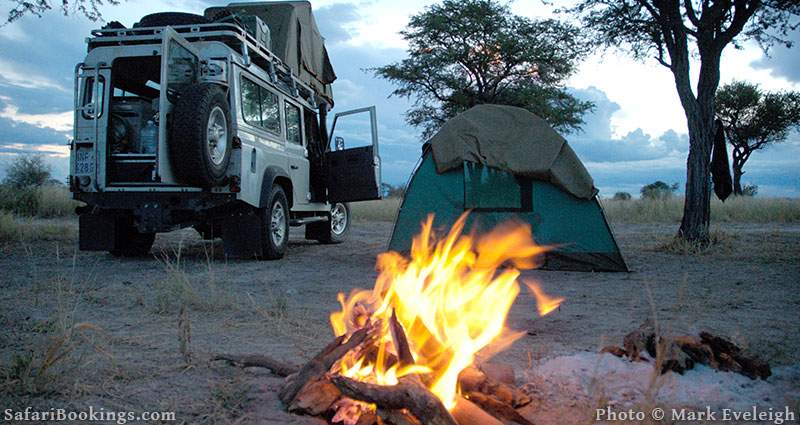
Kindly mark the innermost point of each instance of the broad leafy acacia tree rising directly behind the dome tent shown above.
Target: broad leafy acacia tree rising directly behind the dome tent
(470, 52)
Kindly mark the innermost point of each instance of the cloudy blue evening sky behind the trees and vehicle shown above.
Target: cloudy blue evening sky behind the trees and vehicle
(635, 135)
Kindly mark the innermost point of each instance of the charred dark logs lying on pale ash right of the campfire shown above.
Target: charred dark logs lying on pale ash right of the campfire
(681, 353)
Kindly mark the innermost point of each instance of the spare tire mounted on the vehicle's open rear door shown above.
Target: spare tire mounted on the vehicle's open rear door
(201, 134)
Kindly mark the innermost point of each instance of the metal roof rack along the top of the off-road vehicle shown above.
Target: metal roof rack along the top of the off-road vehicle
(232, 35)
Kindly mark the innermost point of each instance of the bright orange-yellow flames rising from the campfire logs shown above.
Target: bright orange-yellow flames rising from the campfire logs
(451, 298)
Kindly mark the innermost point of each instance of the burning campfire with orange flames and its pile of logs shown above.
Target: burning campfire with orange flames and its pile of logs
(405, 351)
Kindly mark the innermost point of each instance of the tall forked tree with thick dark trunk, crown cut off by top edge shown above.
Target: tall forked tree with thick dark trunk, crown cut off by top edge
(679, 34)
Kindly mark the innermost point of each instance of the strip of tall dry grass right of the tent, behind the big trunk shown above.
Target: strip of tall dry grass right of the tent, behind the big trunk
(734, 210)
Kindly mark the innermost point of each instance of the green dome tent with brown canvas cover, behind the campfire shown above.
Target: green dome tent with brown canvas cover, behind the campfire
(506, 163)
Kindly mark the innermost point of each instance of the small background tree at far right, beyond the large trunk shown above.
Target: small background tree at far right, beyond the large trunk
(754, 119)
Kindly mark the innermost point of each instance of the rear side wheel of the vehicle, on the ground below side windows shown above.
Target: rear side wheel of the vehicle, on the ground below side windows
(275, 225)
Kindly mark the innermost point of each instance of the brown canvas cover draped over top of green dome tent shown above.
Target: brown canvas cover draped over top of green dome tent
(514, 140)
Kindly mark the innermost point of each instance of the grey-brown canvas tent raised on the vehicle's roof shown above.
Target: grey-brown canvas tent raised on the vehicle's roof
(296, 39)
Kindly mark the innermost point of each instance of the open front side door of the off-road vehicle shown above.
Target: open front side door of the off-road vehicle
(354, 173)
